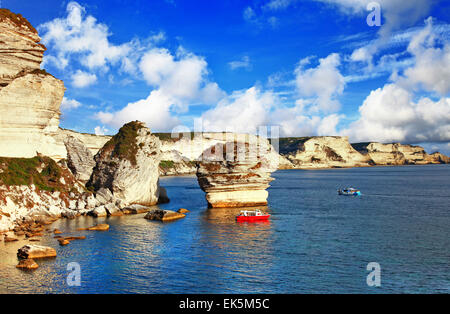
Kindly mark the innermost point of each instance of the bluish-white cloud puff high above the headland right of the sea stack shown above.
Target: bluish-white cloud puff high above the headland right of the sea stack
(322, 83)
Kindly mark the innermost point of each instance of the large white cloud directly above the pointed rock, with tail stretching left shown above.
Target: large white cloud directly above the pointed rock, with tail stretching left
(178, 81)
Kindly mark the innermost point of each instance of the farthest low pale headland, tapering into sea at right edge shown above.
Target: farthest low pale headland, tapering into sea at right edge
(399, 154)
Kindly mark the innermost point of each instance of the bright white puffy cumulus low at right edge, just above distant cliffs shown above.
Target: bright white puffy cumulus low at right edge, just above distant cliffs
(390, 114)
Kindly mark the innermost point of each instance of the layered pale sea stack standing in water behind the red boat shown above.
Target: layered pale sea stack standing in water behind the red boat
(237, 173)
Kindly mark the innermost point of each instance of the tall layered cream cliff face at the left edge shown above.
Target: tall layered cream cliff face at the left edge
(29, 97)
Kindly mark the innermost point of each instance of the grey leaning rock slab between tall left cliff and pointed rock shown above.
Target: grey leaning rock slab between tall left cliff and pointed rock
(79, 159)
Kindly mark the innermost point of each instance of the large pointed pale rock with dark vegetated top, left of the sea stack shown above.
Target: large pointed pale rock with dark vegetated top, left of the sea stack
(128, 166)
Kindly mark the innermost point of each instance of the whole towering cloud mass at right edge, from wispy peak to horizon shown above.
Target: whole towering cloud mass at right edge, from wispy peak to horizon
(415, 107)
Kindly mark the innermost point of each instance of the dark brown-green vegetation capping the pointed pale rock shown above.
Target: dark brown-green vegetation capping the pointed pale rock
(123, 145)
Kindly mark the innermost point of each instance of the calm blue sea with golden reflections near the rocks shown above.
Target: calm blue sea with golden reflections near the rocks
(315, 242)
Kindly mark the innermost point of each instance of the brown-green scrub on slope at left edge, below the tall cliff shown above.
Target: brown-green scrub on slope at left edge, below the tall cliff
(41, 171)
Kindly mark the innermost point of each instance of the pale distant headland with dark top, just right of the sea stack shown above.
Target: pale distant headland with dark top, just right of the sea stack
(322, 152)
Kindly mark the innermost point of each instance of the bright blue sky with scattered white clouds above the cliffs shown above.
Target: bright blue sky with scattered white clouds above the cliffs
(308, 67)
